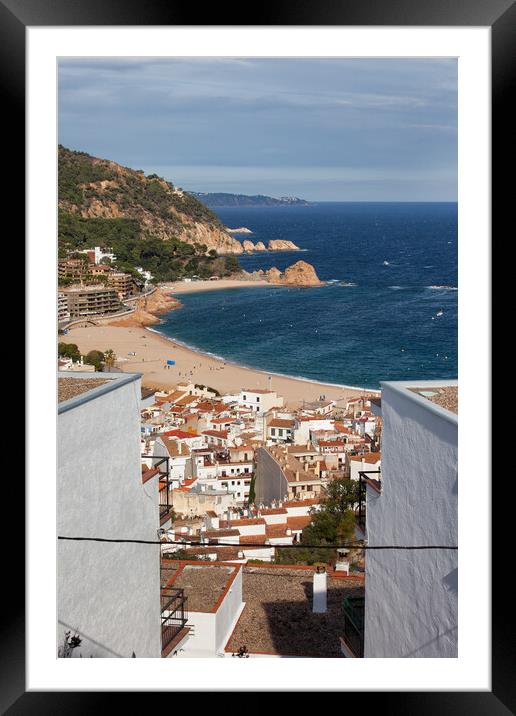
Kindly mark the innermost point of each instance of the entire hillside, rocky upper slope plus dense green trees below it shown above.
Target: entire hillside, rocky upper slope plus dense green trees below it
(140, 217)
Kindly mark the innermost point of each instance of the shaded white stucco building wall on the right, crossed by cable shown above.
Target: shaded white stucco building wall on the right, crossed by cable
(411, 596)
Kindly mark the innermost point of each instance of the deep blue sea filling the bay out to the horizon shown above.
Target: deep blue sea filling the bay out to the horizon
(389, 322)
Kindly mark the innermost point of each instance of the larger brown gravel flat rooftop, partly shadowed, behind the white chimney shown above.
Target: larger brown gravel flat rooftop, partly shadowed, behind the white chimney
(278, 618)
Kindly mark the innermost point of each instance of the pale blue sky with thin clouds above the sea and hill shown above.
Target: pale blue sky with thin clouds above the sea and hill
(321, 129)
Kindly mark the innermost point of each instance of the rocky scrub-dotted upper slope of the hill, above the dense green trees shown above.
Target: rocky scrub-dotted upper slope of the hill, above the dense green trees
(92, 188)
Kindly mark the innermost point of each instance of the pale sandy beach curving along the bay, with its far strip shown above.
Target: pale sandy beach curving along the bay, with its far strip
(152, 350)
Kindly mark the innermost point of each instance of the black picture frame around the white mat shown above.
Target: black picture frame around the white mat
(15, 17)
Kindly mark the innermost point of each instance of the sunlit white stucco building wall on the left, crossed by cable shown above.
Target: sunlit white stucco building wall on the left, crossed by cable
(109, 593)
